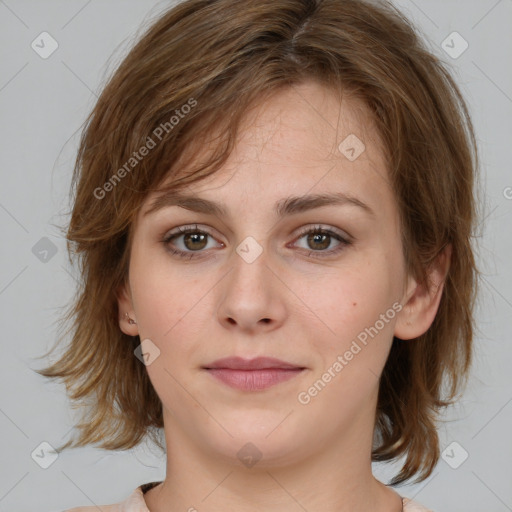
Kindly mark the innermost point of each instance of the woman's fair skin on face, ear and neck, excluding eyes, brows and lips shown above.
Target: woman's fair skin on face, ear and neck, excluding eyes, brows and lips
(286, 304)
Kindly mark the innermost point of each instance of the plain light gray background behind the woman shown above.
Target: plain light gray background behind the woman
(43, 103)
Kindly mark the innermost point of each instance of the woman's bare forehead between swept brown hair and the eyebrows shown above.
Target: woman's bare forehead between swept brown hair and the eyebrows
(301, 139)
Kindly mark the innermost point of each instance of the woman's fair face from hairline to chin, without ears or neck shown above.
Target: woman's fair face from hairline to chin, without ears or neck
(318, 285)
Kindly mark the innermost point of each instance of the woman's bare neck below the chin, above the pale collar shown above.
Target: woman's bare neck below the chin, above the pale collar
(335, 479)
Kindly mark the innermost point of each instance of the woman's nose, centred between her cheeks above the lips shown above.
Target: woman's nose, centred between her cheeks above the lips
(251, 297)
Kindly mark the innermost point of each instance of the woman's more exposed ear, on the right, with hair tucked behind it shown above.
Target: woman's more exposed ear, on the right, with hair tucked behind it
(421, 302)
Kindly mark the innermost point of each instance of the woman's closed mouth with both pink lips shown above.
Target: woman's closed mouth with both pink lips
(252, 374)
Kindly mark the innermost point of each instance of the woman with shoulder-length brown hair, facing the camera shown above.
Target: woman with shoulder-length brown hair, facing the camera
(273, 213)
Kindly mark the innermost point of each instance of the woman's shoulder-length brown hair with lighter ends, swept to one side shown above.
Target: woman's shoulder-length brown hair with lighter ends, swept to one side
(219, 57)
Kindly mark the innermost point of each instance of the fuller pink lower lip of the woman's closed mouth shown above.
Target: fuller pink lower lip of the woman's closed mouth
(253, 380)
